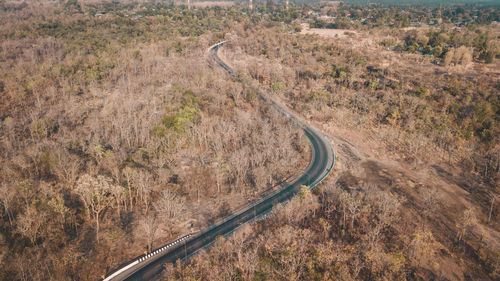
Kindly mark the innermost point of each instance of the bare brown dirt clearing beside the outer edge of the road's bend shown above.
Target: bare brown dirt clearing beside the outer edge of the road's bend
(361, 168)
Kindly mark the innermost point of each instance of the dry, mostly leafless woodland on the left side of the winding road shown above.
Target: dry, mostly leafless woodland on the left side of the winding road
(116, 135)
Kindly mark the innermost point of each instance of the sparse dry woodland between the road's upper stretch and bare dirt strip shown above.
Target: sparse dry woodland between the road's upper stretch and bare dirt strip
(444, 110)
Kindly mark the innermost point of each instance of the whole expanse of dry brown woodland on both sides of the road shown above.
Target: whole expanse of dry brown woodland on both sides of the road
(117, 135)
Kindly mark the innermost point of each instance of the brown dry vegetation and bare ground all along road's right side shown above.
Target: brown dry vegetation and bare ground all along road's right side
(410, 198)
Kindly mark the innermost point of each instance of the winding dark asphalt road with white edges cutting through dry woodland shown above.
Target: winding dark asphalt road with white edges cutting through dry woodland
(323, 157)
